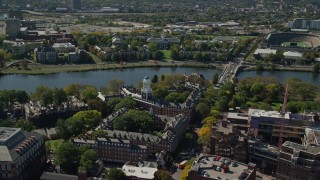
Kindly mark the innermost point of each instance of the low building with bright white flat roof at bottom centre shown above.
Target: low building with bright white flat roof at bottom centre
(140, 170)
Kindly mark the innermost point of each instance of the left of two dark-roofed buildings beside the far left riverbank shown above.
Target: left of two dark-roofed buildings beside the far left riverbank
(45, 54)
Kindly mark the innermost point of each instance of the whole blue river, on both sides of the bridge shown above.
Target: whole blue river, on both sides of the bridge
(130, 76)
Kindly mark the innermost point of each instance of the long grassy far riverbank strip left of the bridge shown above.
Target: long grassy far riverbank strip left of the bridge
(38, 69)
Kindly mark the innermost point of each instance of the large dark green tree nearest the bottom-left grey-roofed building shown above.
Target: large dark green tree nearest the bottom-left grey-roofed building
(67, 156)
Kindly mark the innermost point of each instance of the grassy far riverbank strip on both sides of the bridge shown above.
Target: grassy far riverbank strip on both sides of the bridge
(43, 69)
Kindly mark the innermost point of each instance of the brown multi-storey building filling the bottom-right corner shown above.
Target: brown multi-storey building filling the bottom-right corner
(298, 161)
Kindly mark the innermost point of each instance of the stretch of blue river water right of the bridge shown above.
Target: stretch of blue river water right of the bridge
(283, 75)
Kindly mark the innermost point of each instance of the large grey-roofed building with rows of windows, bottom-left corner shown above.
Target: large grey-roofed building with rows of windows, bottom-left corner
(22, 154)
